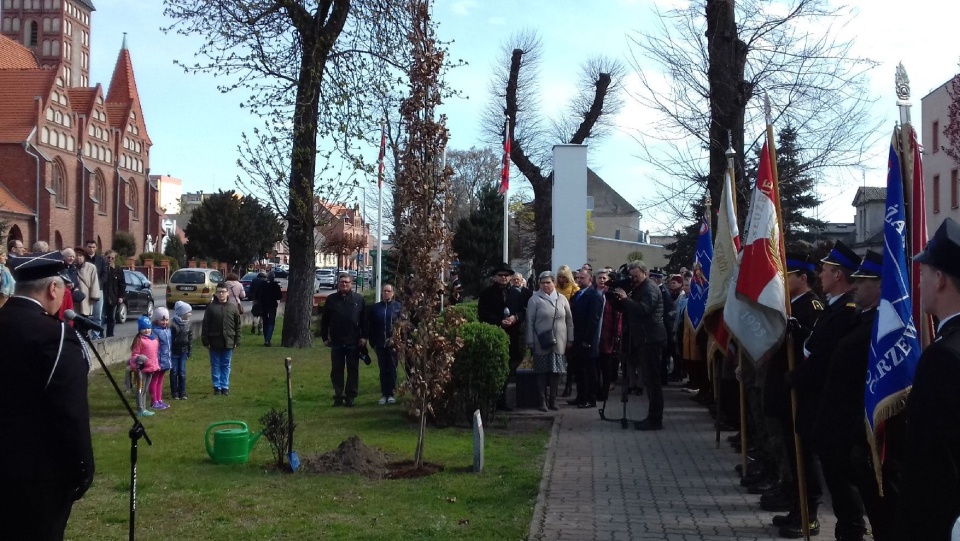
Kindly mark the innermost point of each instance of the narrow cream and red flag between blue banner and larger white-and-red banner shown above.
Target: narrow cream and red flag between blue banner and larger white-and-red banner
(726, 244)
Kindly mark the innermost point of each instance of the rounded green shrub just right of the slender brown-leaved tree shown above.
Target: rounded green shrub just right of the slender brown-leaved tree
(479, 372)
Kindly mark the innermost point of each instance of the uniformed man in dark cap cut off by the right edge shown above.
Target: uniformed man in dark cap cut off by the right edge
(929, 499)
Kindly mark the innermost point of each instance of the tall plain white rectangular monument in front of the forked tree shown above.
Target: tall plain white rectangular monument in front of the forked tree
(569, 206)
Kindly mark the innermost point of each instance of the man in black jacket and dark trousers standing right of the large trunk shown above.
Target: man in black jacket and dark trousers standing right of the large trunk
(343, 328)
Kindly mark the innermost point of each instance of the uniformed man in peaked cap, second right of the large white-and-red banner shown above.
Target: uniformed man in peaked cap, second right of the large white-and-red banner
(809, 377)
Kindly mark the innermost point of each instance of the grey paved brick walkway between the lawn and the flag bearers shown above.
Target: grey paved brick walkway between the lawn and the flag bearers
(603, 482)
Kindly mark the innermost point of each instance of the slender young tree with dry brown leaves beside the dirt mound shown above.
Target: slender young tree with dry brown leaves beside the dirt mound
(421, 192)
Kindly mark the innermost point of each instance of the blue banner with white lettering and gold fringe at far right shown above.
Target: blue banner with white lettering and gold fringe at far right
(895, 347)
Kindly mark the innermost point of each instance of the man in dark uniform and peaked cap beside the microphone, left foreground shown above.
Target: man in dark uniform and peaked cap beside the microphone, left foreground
(46, 458)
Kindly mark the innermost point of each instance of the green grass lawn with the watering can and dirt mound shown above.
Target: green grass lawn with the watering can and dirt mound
(183, 495)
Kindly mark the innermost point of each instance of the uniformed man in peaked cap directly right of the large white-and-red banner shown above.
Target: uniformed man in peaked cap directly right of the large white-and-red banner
(805, 309)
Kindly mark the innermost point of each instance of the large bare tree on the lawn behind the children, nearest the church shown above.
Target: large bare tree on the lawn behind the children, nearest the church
(315, 69)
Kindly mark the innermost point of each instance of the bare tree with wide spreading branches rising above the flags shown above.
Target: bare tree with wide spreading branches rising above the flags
(703, 68)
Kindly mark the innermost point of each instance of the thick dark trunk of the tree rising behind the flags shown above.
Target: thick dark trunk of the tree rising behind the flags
(729, 94)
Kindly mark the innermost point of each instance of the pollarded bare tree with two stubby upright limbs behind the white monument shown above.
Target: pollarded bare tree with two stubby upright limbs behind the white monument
(515, 87)
